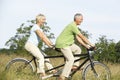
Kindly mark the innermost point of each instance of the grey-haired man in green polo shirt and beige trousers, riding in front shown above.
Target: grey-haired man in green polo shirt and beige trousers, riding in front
(65, 42)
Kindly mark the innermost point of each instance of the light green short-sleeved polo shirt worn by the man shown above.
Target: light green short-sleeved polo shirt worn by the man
(66, 38)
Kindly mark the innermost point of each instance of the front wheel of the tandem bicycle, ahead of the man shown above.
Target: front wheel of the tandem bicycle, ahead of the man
(100, 72)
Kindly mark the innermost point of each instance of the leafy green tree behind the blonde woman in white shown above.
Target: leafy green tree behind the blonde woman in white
(17, 42)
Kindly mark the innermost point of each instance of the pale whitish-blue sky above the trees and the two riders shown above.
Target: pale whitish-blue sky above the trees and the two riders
(101, 17)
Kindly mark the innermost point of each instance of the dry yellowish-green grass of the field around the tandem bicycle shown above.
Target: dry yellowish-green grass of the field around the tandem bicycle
(4, 58)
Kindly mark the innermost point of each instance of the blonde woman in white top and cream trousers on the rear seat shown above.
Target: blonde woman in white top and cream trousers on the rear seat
(36, 34)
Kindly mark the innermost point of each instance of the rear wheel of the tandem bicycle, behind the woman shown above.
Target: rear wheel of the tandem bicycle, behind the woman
(20, 68)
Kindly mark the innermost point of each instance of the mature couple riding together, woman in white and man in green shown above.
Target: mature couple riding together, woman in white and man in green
(65, 42)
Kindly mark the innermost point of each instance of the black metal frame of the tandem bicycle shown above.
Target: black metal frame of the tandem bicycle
(87, 56)
